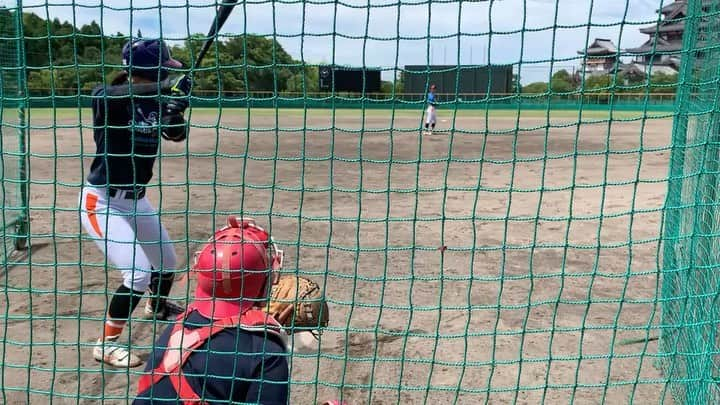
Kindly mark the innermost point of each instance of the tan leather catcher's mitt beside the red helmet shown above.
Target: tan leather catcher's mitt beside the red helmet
(297, 304)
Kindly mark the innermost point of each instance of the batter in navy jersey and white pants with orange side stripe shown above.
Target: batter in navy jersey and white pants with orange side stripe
(113, 207)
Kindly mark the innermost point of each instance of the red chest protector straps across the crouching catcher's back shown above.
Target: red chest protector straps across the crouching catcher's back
(183, 341)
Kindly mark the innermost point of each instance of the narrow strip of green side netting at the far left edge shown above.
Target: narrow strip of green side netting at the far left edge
(12, 138)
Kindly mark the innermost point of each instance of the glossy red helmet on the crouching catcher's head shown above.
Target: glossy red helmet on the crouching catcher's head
(233, 269)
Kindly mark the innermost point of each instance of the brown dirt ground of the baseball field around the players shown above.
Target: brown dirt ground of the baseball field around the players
(551, 232)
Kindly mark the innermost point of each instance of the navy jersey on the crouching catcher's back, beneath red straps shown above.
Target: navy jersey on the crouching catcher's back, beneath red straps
(230, 366)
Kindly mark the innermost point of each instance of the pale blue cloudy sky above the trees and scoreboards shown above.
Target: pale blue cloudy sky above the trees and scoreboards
(388, 33)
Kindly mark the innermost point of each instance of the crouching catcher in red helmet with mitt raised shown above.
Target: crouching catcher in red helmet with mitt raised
(230, 346)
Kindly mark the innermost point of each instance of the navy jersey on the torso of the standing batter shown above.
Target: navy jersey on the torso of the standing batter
(127, 136)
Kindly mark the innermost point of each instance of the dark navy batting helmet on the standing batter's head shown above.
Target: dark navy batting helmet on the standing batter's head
(148, 58)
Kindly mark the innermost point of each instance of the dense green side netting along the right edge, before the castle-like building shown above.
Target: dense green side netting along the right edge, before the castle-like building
(690, 288)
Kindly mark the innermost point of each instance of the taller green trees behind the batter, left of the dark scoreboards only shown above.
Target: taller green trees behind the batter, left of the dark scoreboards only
(62, 59)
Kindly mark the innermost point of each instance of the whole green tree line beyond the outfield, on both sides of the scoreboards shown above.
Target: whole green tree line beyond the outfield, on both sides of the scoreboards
(62, 59)
